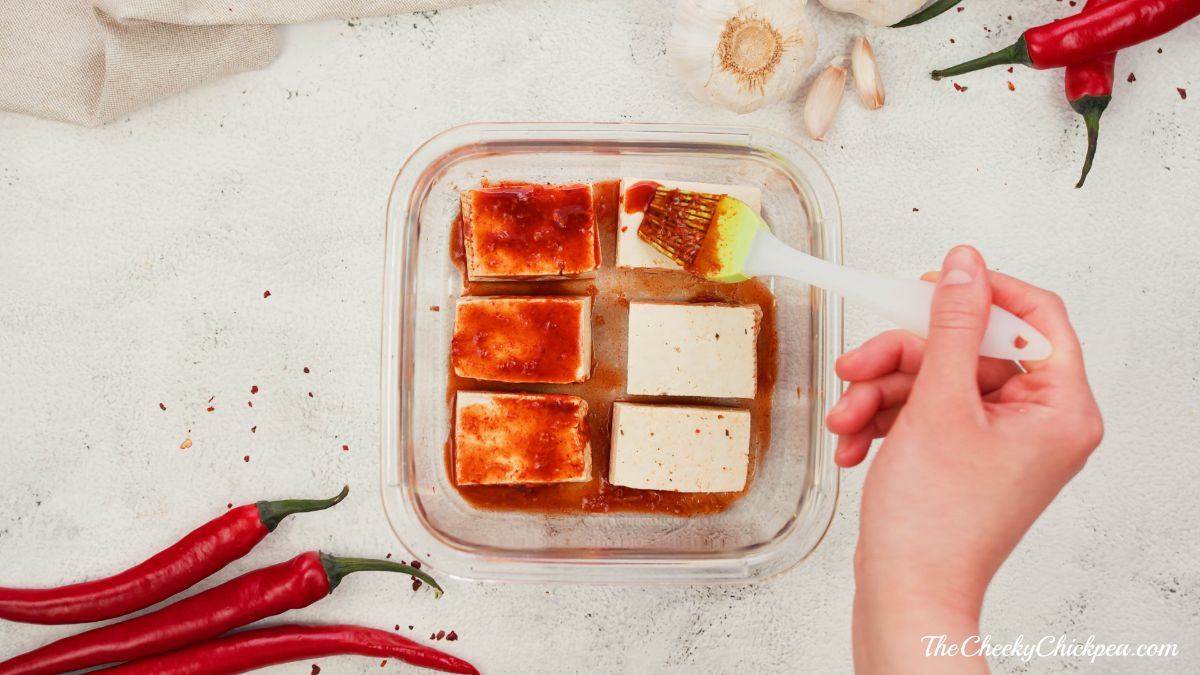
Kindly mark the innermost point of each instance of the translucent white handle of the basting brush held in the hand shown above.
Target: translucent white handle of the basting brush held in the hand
(904, 302)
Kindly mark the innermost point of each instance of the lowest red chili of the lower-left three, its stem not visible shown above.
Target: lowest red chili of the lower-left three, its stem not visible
(284, 644)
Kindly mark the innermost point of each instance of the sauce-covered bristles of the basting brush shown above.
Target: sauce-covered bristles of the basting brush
(676, 223)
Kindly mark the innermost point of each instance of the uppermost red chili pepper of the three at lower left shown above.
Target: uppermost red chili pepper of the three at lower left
(199, 555)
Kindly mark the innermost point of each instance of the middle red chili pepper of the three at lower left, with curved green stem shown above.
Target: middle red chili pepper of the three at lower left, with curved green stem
(257, 595)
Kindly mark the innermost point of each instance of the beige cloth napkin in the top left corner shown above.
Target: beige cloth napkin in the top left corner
(89, 62)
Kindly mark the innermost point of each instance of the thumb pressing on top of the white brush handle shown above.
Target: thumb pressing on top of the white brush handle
(957, 324)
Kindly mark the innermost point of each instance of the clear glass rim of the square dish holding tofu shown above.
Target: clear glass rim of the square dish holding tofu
(783, 552)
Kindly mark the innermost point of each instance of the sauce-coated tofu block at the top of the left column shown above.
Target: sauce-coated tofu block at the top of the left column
(526, 231)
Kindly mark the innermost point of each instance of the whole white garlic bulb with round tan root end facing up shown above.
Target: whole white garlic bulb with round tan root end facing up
(742, 55)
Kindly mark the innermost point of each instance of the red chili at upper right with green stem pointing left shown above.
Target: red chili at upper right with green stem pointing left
(1075, 40)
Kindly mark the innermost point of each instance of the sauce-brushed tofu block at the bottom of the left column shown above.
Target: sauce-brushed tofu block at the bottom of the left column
(521, 439)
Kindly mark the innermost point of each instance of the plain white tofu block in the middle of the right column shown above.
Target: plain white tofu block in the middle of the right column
(694, 350)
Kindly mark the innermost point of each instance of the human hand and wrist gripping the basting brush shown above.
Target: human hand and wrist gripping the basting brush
(975, 451)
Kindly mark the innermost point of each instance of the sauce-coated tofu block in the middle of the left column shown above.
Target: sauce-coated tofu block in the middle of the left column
(524, 339)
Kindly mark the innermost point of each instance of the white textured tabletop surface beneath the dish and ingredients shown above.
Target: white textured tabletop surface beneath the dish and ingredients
(134, 261)
